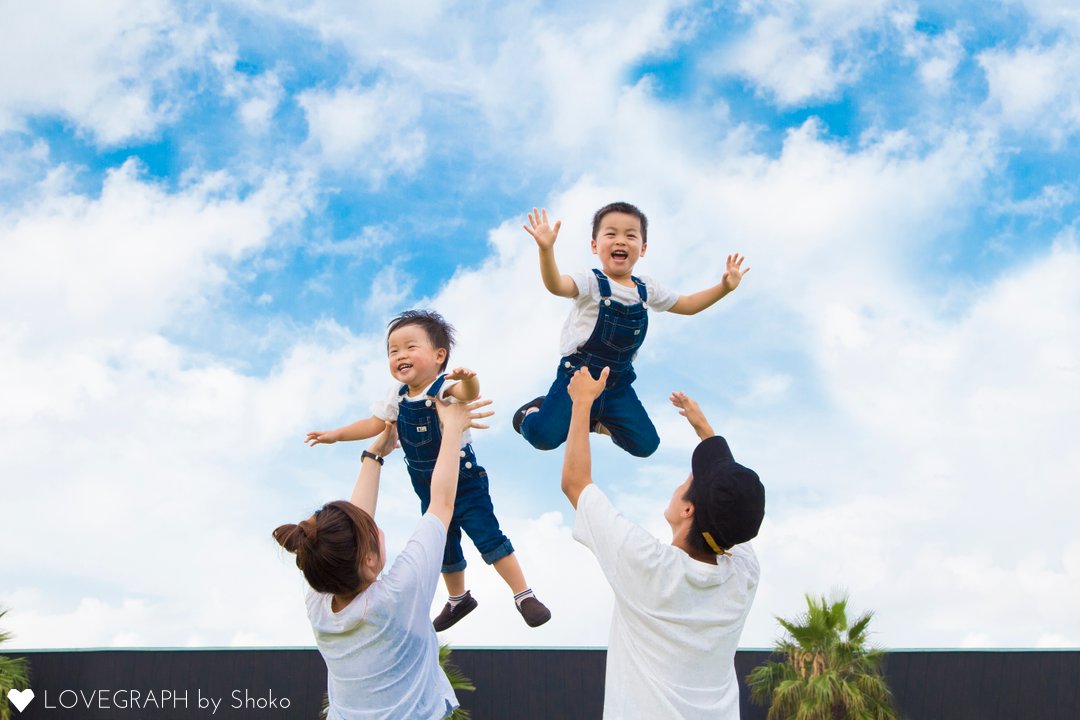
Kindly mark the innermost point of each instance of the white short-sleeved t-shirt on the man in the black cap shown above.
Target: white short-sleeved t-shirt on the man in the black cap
(677, 622)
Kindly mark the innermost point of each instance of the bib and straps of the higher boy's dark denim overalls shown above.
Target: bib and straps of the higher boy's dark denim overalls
(618, 334)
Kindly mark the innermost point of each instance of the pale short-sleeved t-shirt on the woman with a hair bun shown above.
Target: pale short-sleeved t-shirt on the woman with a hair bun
(381, 650)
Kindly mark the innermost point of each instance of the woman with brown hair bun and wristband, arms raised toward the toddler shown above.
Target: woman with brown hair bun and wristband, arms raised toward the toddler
(373, 630)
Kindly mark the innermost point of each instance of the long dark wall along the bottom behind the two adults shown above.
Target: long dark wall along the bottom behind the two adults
(522, 685)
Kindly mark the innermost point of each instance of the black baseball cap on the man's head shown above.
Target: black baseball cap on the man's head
(728, 498)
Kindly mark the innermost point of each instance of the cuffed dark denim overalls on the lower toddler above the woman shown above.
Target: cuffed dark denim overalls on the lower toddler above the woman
(422, 437)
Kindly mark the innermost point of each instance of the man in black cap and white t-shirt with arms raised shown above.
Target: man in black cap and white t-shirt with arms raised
(680, 608)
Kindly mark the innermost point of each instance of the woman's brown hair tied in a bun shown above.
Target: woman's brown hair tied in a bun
(331, 546)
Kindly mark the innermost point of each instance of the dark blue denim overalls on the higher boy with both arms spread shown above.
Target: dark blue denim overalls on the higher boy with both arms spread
(616, 338)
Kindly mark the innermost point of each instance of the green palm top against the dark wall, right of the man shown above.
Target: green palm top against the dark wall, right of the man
(827, 670)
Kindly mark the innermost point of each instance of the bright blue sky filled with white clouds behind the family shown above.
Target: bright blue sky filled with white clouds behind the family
(209, 213)
